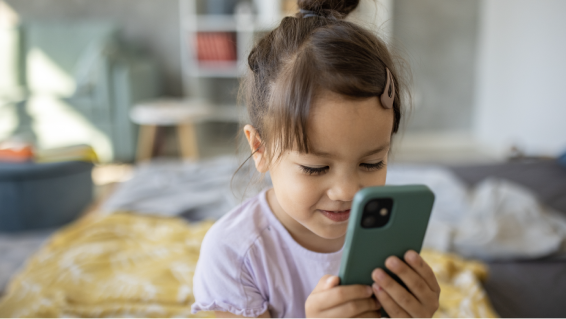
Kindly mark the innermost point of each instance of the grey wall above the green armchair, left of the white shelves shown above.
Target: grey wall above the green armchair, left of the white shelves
(151, 26)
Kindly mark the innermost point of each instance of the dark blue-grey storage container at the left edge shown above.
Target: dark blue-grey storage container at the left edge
(45, 195)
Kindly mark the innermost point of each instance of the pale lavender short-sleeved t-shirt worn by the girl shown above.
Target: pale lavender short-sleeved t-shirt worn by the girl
(249, 263)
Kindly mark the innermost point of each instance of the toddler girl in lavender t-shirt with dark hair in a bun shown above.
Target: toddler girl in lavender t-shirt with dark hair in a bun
(324, 98)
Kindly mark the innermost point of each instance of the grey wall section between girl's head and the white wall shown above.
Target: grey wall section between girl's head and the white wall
(438, 38)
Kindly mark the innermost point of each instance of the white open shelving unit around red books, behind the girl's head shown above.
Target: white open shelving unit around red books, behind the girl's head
(204, 80)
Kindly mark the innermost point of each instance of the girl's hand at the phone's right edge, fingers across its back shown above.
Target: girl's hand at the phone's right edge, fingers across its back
(420, 280)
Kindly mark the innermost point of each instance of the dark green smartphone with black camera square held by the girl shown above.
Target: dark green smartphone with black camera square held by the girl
(384, 221)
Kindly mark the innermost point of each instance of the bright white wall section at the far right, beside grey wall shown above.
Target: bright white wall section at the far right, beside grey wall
(521, 79)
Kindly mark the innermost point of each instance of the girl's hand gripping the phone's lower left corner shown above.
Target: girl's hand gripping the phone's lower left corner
(330, 301)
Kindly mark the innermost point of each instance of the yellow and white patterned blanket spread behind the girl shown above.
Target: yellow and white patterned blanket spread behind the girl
(131, 266)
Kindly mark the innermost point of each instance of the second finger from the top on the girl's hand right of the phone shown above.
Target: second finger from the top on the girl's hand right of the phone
(416, 284)
